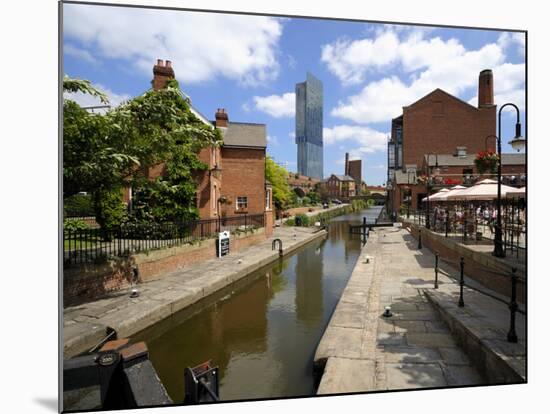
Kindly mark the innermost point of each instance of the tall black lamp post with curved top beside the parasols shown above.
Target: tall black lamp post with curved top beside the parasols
(517, 143)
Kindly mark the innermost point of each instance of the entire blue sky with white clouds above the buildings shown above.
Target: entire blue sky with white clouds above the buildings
(249, 65)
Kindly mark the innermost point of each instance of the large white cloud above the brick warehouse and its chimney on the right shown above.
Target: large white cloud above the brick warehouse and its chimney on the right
(430, 64)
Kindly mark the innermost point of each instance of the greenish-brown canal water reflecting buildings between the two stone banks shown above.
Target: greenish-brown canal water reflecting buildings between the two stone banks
(262, 332)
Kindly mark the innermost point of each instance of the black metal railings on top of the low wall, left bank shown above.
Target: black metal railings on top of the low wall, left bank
(96, 244)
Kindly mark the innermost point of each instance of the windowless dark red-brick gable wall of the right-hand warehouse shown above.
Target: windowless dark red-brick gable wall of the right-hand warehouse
(439, 123)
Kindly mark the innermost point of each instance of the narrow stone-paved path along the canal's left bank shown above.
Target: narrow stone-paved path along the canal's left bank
(85, 325)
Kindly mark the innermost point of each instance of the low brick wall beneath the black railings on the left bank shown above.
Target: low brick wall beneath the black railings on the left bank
(89, 281)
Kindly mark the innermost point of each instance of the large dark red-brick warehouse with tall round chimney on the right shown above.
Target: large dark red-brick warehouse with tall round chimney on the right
(440, 126)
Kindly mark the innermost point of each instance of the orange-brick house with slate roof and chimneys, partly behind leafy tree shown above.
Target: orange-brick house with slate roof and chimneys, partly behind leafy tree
(234, 182)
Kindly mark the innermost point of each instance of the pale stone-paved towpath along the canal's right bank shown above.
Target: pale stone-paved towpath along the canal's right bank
(363, 351)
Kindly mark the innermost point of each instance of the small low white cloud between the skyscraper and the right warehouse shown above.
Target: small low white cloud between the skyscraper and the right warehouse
(368, 139)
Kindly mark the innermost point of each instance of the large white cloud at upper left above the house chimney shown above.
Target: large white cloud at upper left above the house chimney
(201, 46)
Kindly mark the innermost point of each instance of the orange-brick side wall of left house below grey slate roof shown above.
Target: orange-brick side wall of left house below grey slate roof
(244, 175)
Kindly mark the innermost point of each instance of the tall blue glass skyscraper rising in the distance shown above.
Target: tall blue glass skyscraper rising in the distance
(309, 126)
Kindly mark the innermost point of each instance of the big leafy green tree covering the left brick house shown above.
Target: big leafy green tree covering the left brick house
(102, 153)
